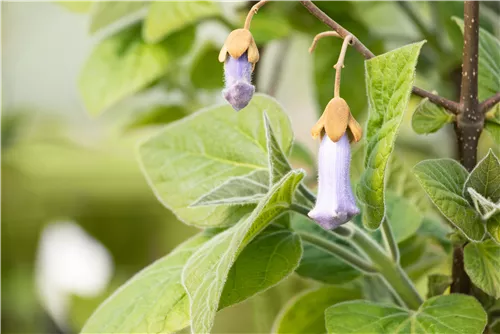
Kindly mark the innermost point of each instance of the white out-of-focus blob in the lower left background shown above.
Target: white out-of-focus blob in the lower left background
(69, 262)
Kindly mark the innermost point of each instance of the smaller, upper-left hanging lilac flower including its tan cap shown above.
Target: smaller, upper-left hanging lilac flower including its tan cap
(239, 55)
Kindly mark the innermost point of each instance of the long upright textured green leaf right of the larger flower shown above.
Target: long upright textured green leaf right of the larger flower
(389, 80)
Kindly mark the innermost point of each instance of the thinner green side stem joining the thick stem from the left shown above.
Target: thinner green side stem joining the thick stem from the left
(339, 251)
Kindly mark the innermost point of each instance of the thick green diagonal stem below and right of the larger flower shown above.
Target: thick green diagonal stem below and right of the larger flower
(390, 271)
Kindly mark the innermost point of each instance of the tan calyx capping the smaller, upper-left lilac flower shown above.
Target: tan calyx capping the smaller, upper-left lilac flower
(237, 43)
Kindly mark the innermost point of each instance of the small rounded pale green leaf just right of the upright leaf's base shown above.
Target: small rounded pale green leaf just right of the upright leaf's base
(404, 217)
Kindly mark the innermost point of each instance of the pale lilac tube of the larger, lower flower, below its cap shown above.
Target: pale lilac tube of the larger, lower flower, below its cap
(335, 204)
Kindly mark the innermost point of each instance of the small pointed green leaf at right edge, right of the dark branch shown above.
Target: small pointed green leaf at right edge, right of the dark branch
(485, 178)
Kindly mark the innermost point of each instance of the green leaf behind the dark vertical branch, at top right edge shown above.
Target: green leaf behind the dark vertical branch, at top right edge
(489, 63)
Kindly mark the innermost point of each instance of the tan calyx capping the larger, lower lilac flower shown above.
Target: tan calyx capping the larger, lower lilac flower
(335, 121)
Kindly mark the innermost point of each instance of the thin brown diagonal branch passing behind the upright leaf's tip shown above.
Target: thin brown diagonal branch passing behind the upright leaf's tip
(367, 54)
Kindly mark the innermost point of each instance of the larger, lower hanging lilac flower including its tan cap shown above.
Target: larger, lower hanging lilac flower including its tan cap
(335, 204)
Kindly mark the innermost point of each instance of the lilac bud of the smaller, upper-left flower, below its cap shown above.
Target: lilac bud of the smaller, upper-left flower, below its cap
(238, 78)
